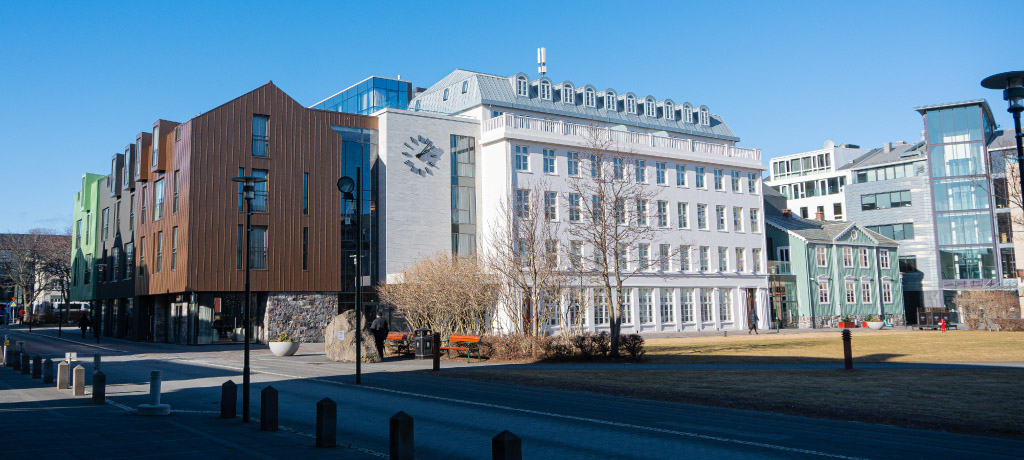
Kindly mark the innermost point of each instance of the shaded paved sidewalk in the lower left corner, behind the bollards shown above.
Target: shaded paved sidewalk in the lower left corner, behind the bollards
(41, 423)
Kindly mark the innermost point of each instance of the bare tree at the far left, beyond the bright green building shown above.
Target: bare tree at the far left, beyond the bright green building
(24, 258)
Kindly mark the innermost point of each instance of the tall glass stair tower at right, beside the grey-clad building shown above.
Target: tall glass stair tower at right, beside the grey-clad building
(969, 250)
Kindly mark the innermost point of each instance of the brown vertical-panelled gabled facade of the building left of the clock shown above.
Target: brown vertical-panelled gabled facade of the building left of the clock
(301, 142)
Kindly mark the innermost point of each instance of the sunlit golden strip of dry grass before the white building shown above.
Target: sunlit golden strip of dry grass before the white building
(869, 347)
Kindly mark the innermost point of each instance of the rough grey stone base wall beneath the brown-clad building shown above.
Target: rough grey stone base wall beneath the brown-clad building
(305, 316)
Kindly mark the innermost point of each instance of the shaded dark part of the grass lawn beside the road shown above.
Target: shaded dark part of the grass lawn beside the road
(974, 402)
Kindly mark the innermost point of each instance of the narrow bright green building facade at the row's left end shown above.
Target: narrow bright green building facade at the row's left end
(86, 240)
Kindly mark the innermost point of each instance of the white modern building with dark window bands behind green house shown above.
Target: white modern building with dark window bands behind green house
(814, 183)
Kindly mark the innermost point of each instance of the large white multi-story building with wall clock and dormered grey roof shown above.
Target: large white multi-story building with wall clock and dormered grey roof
(511, 133)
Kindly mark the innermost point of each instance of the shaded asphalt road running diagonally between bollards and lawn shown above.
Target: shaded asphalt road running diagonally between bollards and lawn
(456, 420)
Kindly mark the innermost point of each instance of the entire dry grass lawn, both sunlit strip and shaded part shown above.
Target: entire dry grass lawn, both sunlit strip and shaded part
(984, 402)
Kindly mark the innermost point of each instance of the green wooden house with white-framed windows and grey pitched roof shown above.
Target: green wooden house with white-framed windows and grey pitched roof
(822, 272)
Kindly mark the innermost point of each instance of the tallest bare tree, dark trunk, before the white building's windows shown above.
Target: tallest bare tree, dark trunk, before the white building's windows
(616, 210)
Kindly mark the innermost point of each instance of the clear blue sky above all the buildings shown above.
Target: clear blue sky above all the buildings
(78, 80)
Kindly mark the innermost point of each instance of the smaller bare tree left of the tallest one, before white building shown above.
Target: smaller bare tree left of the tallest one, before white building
(525, 254)
